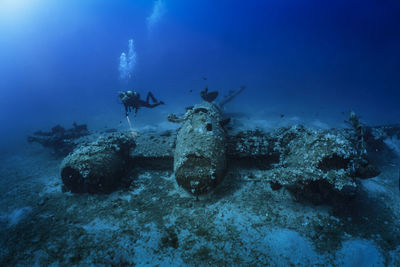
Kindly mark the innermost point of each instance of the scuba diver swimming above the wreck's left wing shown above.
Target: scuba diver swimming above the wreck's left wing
(131, 100)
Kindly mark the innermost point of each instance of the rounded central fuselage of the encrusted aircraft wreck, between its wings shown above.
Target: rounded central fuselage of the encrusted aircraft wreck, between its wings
(200, 159)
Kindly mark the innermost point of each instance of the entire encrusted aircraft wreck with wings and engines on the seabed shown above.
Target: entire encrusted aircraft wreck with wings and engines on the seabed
(315, 164)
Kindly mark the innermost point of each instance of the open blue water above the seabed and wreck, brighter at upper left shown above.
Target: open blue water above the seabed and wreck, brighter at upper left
(59, 59)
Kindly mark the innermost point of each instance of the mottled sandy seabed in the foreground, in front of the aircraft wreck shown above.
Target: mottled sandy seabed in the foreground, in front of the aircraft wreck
(245, 221)
